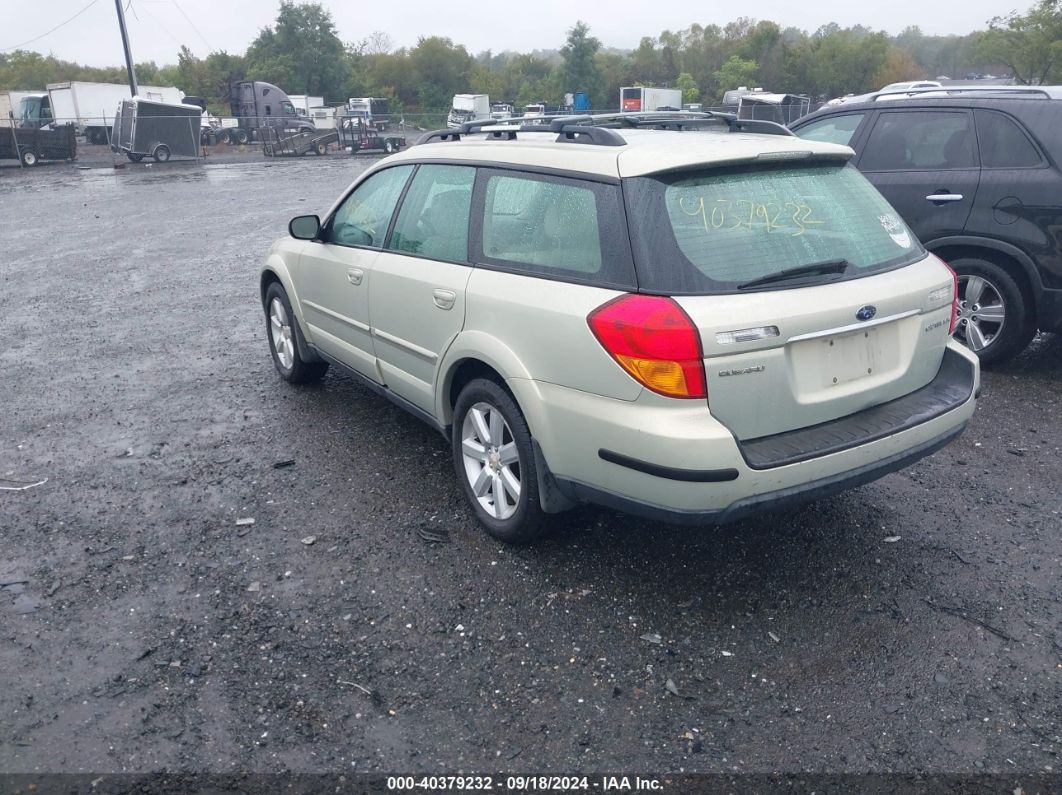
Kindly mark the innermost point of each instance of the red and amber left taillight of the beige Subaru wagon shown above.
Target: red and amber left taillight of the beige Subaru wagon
(655, 341)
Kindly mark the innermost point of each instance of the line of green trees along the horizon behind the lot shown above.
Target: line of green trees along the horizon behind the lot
(303, 54)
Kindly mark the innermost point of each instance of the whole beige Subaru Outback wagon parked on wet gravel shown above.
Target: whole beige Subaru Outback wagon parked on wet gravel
(690, 318)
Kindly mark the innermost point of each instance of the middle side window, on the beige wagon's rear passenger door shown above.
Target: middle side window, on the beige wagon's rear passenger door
(434, 219)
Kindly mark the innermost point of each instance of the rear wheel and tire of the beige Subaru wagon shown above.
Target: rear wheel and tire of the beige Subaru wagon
(492, 453)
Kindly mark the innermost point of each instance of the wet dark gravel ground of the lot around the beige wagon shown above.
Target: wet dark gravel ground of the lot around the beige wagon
(913, 626)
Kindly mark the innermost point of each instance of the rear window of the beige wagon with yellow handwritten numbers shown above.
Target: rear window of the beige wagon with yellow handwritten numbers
(713, 231)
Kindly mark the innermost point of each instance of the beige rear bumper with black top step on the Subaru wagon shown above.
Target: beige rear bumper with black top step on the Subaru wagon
(678, 463)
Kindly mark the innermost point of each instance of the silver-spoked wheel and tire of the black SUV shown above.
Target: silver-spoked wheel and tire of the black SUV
(996, 321)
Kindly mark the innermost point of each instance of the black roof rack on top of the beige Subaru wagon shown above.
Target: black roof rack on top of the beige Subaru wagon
(599, 129)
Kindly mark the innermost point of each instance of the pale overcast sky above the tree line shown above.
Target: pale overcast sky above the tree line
(158, 28)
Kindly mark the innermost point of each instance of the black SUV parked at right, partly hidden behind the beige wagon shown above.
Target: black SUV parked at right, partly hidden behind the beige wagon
(977, 177)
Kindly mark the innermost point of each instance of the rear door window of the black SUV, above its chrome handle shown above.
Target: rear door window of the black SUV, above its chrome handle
(920, 141)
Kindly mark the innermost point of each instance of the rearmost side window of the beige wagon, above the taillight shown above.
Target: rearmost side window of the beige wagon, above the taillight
(569, 230)
